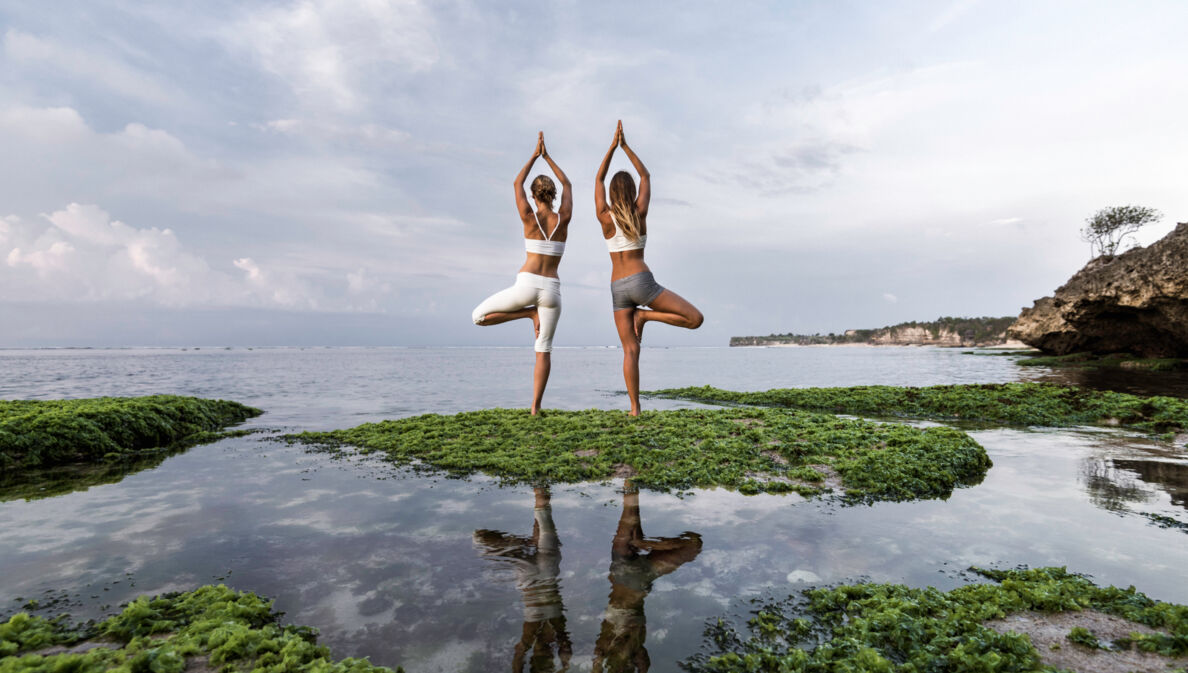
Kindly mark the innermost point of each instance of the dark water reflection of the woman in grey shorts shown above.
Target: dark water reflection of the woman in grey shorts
(636, 562)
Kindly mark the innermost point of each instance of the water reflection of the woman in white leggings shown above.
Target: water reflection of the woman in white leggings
(538, 564)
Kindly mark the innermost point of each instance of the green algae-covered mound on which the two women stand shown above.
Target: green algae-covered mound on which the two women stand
(751, 450)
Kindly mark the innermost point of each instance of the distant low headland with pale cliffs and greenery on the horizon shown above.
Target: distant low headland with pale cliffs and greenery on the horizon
(947, 331)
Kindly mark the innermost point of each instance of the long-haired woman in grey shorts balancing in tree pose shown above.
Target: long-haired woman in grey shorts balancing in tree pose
(624, 221)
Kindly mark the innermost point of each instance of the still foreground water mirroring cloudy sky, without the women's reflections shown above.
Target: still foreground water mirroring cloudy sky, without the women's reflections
(388, 567)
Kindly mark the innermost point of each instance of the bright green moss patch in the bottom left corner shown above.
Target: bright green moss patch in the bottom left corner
(212, 627)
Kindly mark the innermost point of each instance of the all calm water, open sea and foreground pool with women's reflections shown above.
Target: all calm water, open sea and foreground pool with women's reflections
(443, 575)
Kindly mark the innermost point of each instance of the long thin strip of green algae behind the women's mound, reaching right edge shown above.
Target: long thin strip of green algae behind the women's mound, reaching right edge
(1007, 404)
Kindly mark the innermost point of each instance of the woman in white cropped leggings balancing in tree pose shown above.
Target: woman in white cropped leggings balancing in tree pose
(538, 290)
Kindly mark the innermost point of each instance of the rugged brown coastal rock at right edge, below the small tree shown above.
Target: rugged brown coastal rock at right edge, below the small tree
(1135, 303)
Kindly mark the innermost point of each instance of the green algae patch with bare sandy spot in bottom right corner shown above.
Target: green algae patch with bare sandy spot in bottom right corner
(894, 628)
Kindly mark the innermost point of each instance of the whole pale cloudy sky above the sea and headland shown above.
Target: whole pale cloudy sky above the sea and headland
(326, 173)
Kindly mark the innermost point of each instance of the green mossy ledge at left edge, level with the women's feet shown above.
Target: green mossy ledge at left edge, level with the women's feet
(42, 433)
